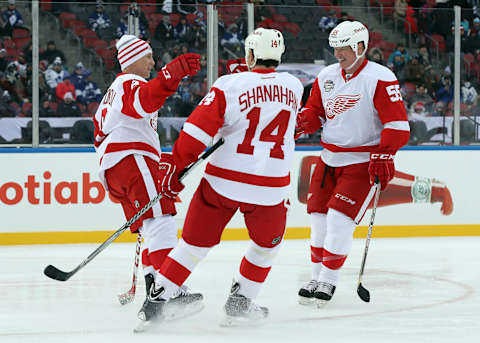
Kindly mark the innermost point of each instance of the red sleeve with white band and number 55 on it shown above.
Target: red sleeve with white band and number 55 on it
(392, 113)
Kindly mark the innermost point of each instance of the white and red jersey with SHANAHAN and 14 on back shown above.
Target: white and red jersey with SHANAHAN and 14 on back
(255, 112)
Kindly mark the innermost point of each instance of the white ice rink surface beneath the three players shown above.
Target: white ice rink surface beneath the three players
(422, 289)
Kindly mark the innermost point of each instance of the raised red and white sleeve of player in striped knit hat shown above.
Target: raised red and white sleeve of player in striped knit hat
(142, 98)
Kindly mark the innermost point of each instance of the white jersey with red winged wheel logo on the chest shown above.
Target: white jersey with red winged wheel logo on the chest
(355, 110)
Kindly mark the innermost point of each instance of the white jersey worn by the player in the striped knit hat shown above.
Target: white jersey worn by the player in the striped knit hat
(126, 120)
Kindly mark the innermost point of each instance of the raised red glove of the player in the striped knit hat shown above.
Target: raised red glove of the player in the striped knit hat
(184, 65)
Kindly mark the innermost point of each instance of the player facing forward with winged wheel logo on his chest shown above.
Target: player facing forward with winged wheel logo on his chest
(359, 105)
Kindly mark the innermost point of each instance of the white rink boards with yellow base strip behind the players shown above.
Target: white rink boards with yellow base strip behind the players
(54, 196)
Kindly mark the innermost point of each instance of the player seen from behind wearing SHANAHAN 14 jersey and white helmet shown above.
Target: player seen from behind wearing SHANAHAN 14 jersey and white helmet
(255, 113)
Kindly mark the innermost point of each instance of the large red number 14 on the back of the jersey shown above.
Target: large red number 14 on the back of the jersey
(280, 121)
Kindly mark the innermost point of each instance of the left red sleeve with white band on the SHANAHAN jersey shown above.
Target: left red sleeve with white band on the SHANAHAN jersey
(200, 128)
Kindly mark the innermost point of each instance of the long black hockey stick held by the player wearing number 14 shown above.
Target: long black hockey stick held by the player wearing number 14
(56, 274)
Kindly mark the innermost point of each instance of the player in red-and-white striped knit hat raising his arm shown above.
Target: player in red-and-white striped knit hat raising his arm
(128, 147)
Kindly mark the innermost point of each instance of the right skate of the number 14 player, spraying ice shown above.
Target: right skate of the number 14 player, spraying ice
(242, 311)
